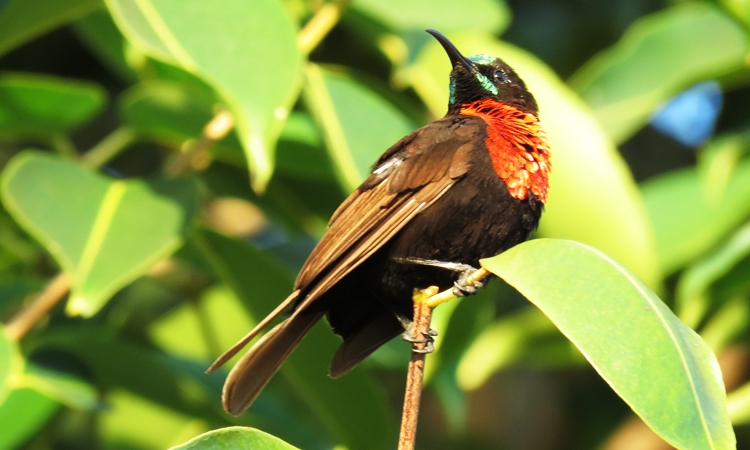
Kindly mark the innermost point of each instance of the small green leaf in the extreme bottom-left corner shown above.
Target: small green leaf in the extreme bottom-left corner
(28, 411)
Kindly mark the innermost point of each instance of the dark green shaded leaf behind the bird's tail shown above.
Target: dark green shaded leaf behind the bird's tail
(353, 409)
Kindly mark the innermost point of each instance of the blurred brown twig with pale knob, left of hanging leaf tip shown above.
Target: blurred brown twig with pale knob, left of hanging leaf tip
(197, 154)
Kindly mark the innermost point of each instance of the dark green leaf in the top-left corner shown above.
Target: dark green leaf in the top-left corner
(23, 20)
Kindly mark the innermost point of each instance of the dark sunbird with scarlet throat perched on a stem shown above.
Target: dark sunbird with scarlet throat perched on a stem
(465, 187)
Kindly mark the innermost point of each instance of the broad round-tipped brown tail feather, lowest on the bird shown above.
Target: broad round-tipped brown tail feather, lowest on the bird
(253, 371)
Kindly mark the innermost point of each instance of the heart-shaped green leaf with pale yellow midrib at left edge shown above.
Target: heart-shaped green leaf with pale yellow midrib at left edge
(104, 233)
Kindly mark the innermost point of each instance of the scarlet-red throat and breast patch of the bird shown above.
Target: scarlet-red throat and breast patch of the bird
(517, 145)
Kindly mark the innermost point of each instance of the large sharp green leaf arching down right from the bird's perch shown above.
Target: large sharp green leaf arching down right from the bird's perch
(660, 367)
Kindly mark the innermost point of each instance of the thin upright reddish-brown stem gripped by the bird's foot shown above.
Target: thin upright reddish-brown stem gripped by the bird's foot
(415, 375)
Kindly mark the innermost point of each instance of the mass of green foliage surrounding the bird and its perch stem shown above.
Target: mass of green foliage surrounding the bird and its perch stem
(176, 161)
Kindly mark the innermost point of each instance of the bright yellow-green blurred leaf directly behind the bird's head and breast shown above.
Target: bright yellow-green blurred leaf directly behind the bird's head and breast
(593, 197)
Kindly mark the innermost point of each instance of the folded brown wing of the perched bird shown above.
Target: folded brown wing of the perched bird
(412, 175)
